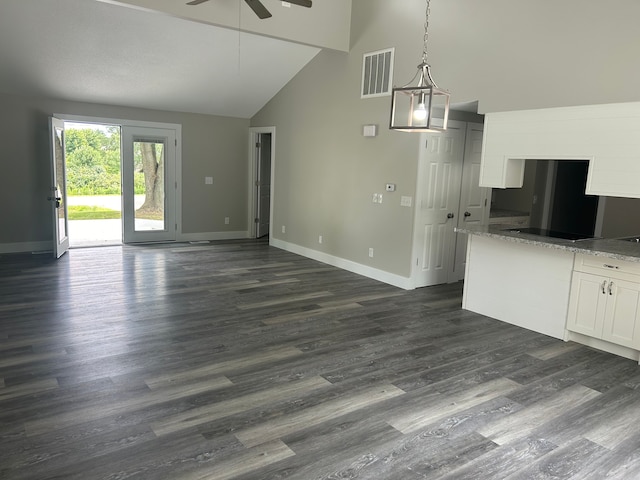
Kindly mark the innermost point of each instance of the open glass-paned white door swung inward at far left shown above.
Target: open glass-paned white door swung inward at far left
(58, 192)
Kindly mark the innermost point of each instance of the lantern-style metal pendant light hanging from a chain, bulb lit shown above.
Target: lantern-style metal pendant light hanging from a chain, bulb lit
(423, 107)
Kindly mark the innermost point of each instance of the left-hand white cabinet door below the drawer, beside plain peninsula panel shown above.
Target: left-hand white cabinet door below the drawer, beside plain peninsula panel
(587, 304)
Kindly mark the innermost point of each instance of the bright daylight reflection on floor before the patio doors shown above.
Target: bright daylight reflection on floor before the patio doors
(100, 325)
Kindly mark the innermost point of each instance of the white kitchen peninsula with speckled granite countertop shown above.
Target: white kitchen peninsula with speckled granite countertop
(586, 290)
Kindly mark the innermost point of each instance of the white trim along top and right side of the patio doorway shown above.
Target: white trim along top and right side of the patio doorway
(140, 123)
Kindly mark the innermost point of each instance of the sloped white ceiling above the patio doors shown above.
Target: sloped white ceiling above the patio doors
(91, 51)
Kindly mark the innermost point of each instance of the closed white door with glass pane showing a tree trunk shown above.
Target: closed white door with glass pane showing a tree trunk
(149, 184)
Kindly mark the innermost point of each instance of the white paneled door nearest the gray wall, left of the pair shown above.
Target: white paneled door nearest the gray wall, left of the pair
(438, 193)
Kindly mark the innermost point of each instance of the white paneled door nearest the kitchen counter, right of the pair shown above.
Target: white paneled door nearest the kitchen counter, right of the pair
(473, 198)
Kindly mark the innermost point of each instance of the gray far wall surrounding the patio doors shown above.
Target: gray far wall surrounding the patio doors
(211, 146)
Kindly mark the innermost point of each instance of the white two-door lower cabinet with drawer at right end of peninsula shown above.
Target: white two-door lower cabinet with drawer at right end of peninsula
(606, 307)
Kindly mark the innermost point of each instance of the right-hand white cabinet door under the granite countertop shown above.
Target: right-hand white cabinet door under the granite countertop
(622, 317)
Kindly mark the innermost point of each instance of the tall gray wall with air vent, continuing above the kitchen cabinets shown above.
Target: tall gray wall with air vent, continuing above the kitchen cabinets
(506, 55)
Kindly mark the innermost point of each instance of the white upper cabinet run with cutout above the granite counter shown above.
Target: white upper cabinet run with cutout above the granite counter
(606, 135)
